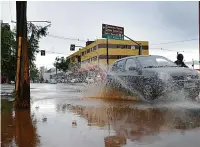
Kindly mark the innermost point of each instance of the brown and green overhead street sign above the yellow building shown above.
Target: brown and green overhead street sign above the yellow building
(112, 32)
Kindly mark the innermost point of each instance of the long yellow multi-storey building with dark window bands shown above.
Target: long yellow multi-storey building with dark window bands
(95, 52)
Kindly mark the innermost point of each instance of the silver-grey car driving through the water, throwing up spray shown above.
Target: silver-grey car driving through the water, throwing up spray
(153, 76)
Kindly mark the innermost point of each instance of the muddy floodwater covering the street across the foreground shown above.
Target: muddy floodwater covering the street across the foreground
(69, 115)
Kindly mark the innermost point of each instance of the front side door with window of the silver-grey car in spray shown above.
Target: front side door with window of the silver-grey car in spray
(131, 74)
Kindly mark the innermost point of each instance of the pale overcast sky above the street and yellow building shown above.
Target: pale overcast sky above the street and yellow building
(156, 22)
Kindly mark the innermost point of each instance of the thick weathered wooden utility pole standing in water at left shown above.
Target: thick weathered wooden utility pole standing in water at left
(22, 99)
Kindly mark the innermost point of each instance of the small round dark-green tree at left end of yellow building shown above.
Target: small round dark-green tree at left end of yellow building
(61, 64)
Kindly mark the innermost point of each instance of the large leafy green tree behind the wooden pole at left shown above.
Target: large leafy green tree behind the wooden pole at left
(8, 47)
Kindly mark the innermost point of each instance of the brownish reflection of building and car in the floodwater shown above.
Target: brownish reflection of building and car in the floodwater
(135, 124)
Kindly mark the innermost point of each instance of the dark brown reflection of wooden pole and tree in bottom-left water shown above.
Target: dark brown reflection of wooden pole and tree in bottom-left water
(18, 129)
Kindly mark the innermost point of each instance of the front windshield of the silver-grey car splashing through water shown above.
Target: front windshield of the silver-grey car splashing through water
(155, 61)
